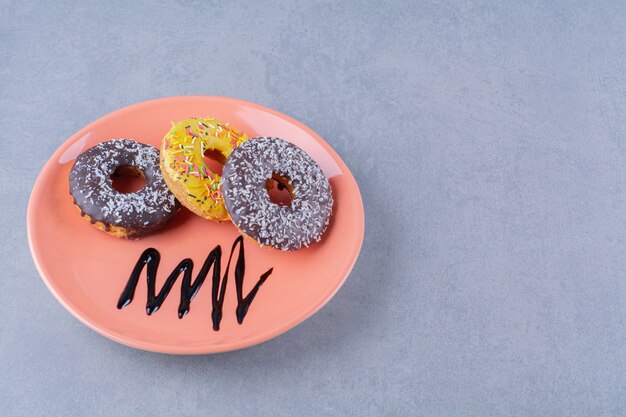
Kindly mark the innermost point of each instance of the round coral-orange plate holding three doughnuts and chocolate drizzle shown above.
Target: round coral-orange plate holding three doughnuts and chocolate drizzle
(86, 269)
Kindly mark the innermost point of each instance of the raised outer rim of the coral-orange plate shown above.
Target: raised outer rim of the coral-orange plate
(189, 350)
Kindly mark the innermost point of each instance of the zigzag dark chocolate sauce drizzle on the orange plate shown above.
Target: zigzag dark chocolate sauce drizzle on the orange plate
(150, 259)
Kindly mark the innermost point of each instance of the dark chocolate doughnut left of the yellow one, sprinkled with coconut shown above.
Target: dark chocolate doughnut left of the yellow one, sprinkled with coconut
(122, 215)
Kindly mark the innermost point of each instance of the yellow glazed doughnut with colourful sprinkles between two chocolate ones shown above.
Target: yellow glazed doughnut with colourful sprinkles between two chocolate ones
(184, 169)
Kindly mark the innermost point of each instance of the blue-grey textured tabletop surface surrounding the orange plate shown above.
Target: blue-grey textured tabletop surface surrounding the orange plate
(488, 142)
